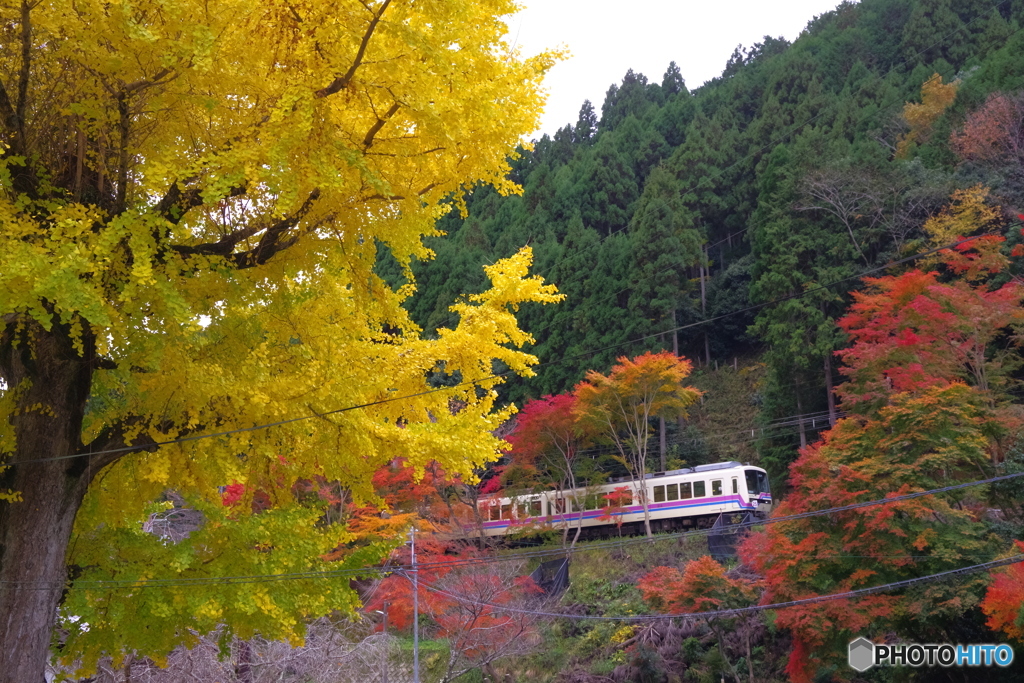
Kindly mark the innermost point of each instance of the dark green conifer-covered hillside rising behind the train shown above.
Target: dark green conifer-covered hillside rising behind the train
(803, 165)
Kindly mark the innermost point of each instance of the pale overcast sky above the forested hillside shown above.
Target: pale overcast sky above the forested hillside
(607, 37)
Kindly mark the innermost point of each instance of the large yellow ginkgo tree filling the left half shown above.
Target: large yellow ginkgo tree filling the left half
(193, 199)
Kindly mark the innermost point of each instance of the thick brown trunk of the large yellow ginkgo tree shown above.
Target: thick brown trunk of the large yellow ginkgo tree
(48, 372)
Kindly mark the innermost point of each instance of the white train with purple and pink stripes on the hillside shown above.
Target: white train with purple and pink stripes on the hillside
(676, 499)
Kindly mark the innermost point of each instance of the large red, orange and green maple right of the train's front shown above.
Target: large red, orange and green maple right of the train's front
(928, 407)
